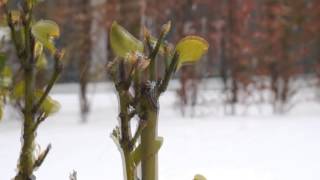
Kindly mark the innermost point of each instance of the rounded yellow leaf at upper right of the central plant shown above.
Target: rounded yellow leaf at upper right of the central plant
(191, 49)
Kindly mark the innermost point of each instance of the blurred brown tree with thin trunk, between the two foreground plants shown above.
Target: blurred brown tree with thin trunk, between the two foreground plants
(85, 38)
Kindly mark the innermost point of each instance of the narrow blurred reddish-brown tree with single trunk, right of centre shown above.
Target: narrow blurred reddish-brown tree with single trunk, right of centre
(237, 49)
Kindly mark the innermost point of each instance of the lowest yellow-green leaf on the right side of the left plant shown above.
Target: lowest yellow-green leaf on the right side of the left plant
(49, 105)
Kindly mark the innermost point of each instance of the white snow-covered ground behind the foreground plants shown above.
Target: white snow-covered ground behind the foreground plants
(245, 147)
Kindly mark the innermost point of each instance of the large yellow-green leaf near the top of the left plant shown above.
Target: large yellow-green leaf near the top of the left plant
(45, 31)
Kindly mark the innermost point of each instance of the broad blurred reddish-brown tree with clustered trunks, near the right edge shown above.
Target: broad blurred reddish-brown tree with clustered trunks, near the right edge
(283, 41)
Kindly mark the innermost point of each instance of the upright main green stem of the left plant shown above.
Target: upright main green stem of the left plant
(26, 159)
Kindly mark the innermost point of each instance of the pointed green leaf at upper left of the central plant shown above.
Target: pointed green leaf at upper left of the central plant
(122, 42)
